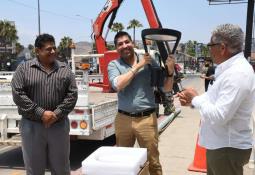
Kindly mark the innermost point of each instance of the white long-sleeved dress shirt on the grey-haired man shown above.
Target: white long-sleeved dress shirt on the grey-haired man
(226, 108)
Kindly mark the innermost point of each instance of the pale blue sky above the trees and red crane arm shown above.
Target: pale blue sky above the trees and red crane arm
(194, 18)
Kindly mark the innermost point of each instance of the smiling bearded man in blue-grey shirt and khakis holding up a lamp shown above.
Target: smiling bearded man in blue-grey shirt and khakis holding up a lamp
(136, 117)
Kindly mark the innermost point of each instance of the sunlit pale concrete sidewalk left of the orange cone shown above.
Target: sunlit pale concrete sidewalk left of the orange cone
(177, 142)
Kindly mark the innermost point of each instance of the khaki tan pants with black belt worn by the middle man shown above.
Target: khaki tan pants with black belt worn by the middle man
(144, 129)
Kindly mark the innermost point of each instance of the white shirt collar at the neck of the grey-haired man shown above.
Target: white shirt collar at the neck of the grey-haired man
(227, 64)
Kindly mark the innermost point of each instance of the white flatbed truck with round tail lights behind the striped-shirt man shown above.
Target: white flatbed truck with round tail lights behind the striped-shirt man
(92, 117)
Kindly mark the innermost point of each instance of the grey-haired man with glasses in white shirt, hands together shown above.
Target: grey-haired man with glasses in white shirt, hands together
(226, 108)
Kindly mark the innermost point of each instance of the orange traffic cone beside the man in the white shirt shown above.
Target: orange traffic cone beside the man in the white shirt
(199, 162)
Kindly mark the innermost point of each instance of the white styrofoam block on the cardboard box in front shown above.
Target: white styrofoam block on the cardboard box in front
(108, 160)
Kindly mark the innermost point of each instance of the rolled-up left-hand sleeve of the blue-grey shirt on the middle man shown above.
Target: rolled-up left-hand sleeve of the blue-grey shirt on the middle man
(113, 73)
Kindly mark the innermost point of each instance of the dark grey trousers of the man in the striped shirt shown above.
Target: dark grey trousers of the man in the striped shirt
(42, 146)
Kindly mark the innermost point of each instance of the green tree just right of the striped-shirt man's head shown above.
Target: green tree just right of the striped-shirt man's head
(64, 49)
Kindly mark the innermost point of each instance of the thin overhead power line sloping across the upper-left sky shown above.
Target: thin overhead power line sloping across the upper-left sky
(47, 11)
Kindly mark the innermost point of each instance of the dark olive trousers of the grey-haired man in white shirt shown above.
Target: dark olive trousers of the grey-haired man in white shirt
(227, 161)
